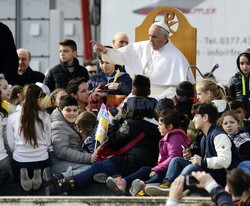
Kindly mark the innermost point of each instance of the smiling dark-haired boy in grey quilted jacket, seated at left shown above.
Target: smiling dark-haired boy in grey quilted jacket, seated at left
(66, 140)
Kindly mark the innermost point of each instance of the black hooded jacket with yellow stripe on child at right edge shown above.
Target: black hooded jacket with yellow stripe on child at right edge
(239, 84)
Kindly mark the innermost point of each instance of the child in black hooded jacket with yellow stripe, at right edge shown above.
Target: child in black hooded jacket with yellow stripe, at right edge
(239, 83)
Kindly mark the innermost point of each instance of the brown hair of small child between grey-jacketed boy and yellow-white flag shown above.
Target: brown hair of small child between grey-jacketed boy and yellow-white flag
(86, 121)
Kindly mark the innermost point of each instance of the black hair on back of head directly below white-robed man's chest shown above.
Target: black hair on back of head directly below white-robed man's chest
(141, 85)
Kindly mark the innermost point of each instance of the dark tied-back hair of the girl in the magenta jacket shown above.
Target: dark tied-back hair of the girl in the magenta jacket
(176, 119)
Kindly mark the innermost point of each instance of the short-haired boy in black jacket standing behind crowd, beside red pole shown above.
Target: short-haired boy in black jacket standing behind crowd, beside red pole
(68, 69)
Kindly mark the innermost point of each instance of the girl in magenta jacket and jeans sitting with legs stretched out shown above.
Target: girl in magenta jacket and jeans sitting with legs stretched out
(171, 145)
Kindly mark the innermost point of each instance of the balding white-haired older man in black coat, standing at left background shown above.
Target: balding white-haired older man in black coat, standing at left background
(25, 75)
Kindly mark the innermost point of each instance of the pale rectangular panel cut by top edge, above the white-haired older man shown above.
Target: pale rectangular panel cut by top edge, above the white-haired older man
(35, 9)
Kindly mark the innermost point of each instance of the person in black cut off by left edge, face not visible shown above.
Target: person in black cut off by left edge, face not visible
(8, 55)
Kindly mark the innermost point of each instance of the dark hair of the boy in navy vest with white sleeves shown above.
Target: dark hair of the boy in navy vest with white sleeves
(206, 108)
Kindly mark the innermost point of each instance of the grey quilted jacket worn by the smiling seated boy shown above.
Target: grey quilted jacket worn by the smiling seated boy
(67, 145)
